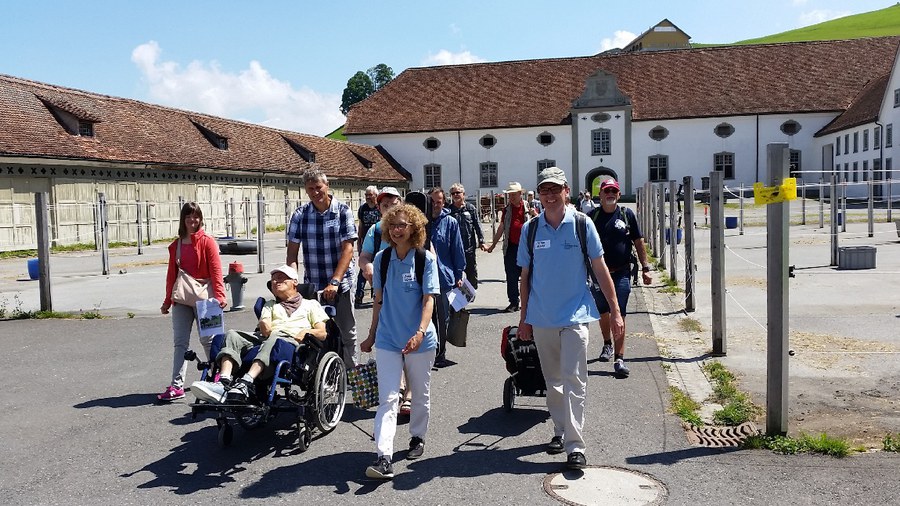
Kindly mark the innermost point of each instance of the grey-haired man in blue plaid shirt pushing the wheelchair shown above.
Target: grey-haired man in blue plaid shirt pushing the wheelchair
(326, 228)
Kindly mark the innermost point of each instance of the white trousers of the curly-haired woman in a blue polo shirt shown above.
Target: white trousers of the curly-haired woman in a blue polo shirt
(418, 379)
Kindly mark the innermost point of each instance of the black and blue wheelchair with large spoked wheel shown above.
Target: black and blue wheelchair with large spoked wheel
(309, 383)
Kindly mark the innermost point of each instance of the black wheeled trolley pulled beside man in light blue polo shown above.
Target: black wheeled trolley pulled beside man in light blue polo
(524, 367)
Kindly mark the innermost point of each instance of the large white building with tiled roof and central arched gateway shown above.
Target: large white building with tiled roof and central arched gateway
(644, 116)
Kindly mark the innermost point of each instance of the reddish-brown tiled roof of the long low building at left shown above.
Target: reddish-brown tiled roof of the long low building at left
(137, 132)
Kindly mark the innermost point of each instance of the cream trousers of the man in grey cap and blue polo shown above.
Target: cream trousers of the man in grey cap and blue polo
(563, 353)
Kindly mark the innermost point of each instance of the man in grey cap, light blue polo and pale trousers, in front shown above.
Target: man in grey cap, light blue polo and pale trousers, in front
(557, 307)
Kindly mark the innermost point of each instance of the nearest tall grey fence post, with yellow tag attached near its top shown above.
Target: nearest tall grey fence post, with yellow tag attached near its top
(778, 256)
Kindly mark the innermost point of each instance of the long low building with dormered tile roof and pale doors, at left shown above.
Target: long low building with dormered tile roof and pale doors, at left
(75, 144)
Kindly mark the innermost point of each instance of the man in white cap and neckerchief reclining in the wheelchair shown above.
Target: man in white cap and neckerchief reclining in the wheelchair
(289, 317)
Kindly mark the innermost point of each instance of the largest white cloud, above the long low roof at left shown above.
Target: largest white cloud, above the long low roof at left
(251, 95)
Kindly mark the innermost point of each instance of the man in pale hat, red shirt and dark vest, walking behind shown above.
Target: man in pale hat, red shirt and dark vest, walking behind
(515, 214)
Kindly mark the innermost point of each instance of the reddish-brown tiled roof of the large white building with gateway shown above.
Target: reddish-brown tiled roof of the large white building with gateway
(707, 82)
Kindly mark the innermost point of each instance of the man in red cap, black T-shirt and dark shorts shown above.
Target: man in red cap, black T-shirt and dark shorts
(619, 231)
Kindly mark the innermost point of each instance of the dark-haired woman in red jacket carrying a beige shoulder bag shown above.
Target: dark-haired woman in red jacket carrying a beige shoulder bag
(200, 259)
